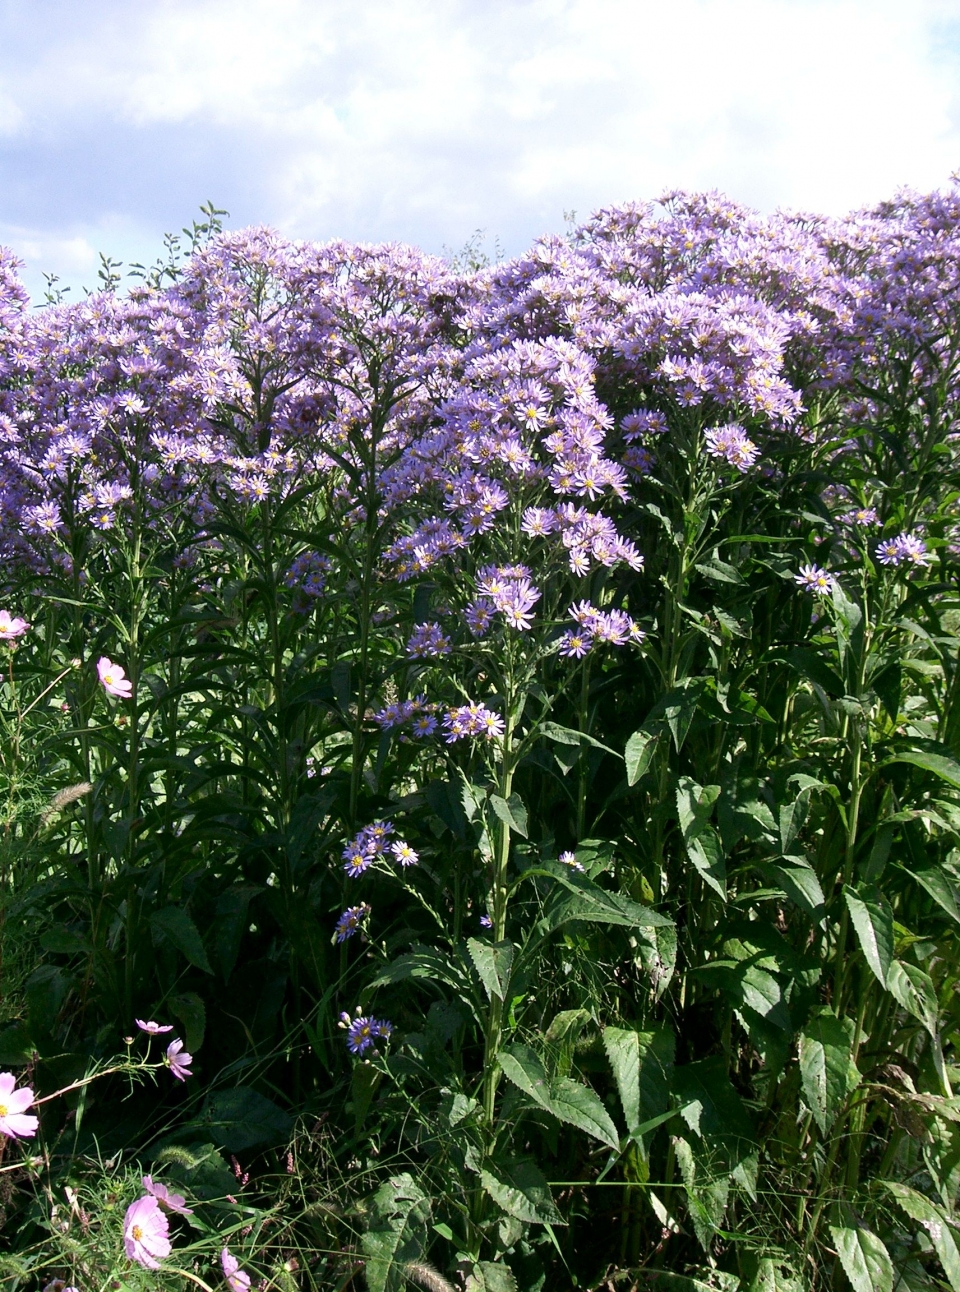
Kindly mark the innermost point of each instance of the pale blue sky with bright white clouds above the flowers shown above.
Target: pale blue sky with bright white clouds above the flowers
(424, 121)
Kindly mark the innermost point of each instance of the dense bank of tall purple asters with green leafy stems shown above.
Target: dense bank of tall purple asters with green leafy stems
(508, 720)
